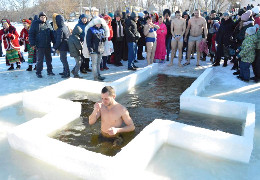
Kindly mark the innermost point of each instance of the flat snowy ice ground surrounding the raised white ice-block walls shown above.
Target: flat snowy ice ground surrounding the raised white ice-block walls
(170, 162)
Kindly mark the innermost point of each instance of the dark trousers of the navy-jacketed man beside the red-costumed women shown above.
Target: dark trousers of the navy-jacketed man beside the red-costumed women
(41, 53)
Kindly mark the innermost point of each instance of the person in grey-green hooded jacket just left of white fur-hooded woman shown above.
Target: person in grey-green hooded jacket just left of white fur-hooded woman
(75, 47)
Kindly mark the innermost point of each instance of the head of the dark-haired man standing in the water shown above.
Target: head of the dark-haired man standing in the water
(108, 95)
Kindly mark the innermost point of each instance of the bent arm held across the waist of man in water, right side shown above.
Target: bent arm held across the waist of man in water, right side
(127, 120)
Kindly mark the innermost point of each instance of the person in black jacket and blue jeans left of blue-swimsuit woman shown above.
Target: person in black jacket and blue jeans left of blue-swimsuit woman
(132, 36)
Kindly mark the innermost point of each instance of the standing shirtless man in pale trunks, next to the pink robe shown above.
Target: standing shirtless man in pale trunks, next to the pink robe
(178, 27)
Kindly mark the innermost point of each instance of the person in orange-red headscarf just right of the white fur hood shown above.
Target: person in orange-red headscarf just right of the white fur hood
(108, 45)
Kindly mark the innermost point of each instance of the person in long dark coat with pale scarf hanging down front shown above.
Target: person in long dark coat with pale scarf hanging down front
(118, 37)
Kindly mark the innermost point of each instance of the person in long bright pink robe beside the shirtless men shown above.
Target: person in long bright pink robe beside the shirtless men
(161, 38)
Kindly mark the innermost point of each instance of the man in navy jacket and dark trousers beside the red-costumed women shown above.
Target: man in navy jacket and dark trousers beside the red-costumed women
(40, 37)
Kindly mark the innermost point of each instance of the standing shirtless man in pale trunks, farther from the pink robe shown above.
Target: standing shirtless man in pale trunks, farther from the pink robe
(196, 25)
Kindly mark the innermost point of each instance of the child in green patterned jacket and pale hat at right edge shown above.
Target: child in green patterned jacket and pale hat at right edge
(247, 53)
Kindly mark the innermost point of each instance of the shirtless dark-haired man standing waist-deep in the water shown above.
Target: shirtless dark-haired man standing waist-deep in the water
(112, 115)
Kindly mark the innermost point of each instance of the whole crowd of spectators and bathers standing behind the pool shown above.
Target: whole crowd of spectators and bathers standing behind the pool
(113, 37)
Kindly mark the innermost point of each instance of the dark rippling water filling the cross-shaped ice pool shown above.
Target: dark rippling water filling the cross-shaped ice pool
(157, 98)
